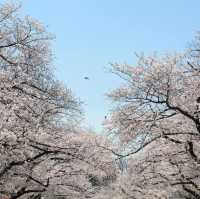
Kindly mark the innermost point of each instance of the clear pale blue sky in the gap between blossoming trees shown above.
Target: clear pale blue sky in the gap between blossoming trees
(92, 33)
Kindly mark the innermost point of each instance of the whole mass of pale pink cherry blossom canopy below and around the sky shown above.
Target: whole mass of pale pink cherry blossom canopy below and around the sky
(151, 148)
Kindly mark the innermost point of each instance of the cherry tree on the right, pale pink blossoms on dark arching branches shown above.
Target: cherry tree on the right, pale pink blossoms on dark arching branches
(157, 120)
